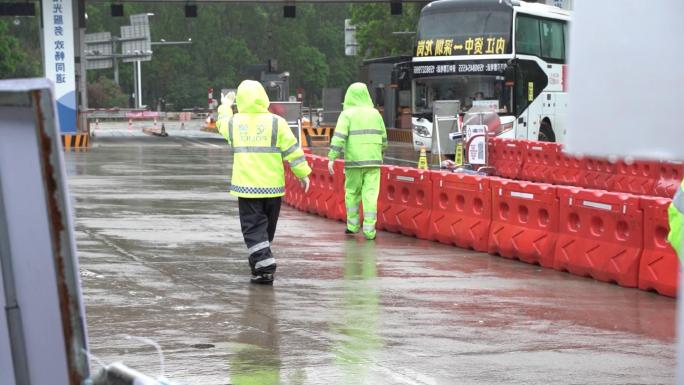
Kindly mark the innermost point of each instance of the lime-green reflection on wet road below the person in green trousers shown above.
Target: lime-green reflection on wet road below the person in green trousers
(360, 321)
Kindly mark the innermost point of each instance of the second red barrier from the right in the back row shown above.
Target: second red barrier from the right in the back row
(635, 177)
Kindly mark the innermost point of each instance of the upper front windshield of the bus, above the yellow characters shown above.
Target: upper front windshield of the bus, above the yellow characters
(464, 24)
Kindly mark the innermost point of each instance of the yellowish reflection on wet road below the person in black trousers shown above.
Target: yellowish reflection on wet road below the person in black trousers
(256, 357)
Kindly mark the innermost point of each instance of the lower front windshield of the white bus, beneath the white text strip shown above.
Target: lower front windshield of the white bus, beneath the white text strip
(474, 90)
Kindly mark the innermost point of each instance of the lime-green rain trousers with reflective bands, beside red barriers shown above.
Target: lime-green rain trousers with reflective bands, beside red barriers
(362, 184)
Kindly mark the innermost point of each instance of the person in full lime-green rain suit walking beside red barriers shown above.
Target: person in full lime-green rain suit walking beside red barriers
(361, 136)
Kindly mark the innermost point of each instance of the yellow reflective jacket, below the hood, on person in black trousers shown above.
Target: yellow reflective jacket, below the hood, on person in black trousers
(260, 142)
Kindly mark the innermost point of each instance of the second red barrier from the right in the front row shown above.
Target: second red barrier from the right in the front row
(600, 235)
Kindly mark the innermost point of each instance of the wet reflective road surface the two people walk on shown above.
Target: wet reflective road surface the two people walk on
(162, 257)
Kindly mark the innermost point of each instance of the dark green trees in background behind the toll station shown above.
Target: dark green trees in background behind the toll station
(227, 41)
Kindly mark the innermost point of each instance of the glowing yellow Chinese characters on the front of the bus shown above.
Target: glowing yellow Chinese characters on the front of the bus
(471, 46)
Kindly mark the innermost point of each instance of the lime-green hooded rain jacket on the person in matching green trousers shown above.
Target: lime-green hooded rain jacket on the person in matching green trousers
(360, 131)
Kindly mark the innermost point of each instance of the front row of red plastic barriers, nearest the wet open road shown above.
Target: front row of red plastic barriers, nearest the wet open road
(609, 236)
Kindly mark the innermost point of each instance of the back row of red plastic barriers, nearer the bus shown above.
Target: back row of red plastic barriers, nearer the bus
(547, 163)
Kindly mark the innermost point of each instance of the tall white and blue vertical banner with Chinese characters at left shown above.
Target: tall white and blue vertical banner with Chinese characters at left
(58, 53)
